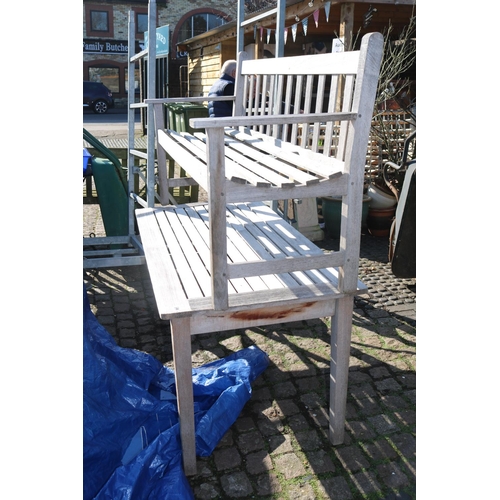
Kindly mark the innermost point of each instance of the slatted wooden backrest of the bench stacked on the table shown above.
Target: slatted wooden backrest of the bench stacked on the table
(323, 83)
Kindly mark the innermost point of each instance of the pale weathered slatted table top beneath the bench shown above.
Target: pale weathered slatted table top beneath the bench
(177, 250)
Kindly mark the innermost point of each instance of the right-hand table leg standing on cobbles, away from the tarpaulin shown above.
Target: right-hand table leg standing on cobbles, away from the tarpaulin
(339, 367)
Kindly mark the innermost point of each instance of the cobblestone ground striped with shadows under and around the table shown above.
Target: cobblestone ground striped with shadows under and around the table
(278, 448)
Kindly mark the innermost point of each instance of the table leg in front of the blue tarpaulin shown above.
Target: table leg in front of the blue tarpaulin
(181, 346)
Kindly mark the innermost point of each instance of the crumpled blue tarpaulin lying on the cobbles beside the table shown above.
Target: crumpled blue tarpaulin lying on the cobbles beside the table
(131, 439)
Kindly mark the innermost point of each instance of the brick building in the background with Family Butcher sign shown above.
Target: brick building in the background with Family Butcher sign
(105, 37)
